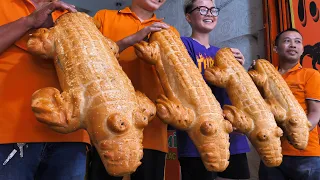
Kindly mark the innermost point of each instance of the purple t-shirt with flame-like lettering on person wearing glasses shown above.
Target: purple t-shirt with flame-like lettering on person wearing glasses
(199, 54)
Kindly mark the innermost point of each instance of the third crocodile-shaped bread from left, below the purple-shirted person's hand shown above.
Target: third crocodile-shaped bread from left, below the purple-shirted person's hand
(249, 114)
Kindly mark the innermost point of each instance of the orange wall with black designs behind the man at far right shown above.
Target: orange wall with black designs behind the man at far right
(300, 14)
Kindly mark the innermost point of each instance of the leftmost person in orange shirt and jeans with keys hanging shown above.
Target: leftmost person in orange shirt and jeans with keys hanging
(29, 149)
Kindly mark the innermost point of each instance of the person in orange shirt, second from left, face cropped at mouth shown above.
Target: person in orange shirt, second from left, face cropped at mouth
(127, 27)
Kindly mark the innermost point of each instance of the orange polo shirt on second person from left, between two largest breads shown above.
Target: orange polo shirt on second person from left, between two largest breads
(117, 25)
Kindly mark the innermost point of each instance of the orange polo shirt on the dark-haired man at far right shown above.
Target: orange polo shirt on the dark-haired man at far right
(305, 85)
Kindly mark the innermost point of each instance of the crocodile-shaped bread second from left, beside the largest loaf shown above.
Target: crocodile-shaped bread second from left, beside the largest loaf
(188, 103)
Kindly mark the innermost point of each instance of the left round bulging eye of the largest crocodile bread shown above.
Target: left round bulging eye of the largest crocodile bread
(117, 123)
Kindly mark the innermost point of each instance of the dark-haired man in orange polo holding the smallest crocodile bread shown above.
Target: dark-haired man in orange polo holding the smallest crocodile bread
(304, 84)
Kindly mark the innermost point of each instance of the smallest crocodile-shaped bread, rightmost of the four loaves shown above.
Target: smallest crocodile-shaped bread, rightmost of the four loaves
(287, 111)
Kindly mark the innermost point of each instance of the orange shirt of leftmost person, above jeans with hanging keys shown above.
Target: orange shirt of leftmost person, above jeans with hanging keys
(21, 74)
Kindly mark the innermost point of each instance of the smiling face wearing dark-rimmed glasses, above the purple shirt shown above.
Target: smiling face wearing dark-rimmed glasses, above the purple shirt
(202, 23)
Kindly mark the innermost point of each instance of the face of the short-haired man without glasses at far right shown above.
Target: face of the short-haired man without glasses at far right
(290, 46)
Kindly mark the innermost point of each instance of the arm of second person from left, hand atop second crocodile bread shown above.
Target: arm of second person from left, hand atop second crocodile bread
(140, 35)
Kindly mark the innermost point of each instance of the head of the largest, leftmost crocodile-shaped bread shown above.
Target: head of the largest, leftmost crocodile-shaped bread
(118, 142)
